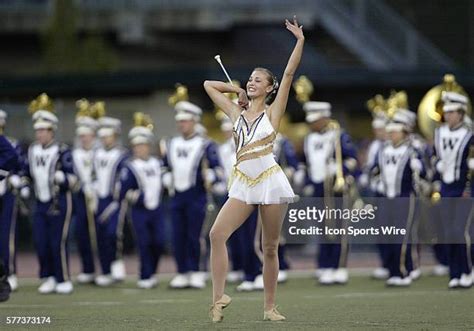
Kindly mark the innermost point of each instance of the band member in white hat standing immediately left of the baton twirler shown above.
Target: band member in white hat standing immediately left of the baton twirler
(193, 169)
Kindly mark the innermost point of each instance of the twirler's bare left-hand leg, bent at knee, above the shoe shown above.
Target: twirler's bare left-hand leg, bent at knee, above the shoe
(231, 216)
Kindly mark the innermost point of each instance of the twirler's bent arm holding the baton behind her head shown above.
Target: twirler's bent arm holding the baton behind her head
(216, 90)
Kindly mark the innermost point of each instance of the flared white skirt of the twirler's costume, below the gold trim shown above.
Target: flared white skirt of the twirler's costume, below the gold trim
(275, 189)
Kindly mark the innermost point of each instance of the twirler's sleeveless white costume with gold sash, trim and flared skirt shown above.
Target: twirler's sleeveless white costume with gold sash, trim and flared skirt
(256, 176)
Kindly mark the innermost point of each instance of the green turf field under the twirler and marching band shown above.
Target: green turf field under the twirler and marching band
(363, 304)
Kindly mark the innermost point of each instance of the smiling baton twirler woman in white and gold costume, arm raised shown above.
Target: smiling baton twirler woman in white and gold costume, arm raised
(257, 180)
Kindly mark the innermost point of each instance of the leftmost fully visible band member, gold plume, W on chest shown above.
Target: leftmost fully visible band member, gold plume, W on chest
(51, 170)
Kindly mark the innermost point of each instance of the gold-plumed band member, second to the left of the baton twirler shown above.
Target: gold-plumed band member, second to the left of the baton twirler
(141, 189)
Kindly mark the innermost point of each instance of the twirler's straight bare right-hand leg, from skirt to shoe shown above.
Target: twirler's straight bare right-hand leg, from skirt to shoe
(272, 221)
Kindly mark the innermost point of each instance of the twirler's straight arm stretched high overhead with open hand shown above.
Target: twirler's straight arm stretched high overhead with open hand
(278, 107)
